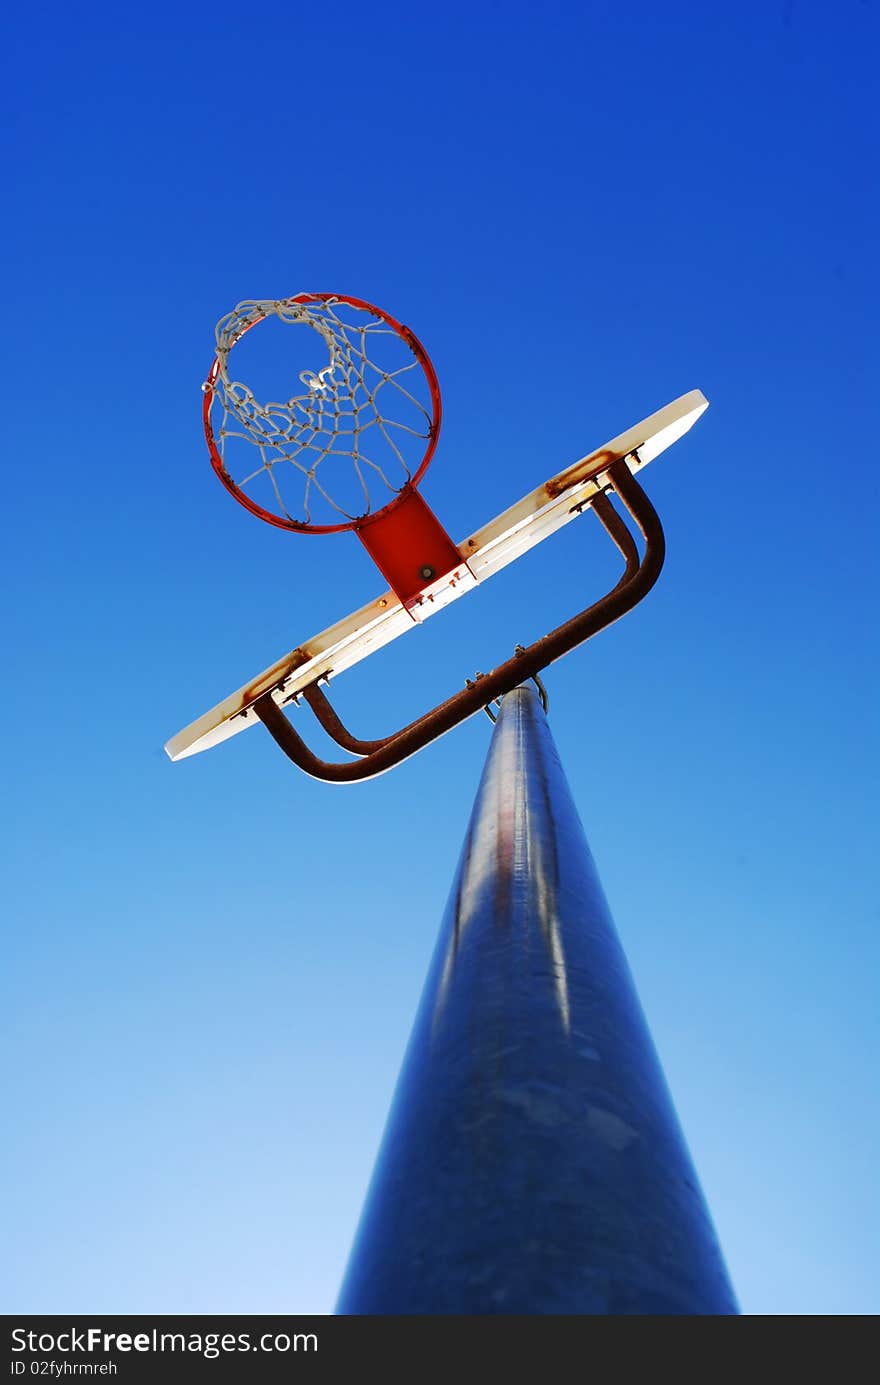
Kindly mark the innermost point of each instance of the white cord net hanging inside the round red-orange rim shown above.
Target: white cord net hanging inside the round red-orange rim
(353, 422)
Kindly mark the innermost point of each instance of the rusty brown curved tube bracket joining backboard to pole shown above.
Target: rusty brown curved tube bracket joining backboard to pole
(383, 756)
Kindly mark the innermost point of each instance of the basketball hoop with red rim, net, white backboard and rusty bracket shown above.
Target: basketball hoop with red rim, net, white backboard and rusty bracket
(342, 441)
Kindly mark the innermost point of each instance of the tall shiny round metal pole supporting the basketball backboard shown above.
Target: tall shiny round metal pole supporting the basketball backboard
(533, 1161)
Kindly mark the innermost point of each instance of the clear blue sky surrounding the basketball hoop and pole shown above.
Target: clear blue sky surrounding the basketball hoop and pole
(211, 967)
